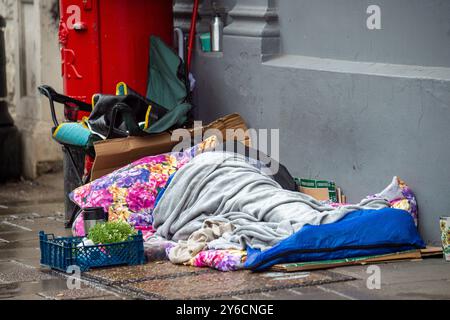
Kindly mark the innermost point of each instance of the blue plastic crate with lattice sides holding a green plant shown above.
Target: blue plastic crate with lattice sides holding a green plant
(60, 253)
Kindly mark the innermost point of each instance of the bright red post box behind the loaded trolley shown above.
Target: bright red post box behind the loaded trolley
(104, 42)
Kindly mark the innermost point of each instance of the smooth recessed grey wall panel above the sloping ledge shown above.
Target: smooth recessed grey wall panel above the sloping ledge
(413, 32)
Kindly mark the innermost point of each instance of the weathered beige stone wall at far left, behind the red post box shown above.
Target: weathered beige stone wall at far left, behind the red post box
(32, 59)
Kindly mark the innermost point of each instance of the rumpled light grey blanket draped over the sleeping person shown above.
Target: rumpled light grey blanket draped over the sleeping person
(223, 186)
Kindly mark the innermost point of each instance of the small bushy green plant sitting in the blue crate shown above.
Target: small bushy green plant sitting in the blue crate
(110, 232)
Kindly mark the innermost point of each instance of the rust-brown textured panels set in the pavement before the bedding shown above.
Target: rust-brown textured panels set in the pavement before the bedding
(163, 280)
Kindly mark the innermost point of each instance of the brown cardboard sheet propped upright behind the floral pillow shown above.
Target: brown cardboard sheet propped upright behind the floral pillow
(113, 154)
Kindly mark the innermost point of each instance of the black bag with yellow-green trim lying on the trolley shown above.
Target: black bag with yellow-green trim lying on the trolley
(120, 116)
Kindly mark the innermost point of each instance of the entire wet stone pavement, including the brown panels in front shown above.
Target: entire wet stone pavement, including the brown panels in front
(28, 207)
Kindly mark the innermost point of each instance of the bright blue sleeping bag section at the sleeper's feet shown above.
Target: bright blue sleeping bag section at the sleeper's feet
(359, 233)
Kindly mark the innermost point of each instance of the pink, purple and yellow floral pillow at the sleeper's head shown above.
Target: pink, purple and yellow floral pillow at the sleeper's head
(129, 193)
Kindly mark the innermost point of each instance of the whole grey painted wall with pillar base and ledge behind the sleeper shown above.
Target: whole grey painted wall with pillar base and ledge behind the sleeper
(353, 105)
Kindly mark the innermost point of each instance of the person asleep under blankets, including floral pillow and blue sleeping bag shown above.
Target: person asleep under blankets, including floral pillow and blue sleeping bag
(213, 206)
